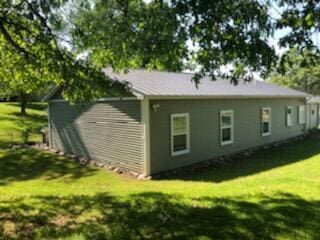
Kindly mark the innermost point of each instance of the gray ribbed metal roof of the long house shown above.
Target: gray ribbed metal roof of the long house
(168, 84)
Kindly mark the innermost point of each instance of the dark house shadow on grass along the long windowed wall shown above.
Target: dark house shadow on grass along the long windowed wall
(262, 160)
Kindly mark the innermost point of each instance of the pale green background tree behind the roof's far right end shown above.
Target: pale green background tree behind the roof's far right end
(302, 72)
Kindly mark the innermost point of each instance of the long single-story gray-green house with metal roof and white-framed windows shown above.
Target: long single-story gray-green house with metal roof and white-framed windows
(169, 123)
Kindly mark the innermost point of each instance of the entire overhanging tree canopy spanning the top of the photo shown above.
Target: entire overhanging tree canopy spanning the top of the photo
(66, 42)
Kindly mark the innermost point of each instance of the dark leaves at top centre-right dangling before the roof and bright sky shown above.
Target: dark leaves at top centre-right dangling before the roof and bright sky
(228, 33)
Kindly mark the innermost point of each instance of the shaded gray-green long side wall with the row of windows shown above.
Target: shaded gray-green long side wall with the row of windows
(204, 116)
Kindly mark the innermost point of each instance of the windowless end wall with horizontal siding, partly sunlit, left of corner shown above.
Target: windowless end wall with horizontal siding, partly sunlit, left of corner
(109, 131)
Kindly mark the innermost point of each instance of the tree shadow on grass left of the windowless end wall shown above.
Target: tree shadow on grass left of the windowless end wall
(27, 164)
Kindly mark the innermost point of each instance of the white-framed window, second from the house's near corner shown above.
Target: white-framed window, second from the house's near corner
(226, 127)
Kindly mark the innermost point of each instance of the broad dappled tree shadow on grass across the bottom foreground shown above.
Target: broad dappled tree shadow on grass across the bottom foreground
(154, 215)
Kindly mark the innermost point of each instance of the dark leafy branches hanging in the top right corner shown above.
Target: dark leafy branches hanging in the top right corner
(301, 19)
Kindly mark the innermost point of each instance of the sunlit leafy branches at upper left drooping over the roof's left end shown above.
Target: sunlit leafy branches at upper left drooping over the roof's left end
(32, 50)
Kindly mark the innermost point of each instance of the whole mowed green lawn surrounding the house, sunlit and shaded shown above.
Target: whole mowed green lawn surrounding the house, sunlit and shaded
(274, 194)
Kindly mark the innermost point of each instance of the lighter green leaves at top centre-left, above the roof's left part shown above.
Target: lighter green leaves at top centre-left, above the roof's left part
(130, 34)
